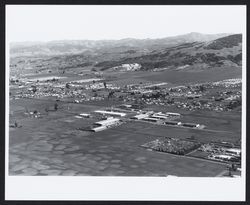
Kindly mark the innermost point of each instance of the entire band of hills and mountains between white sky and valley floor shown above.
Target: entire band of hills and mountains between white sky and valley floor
(193, 50)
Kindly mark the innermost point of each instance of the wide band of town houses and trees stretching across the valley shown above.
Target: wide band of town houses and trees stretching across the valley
(189, 97)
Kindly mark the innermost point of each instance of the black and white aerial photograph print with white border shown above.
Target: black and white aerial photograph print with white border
(126, 92)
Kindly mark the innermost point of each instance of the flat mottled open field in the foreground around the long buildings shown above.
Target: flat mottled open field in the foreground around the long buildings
(53, 145)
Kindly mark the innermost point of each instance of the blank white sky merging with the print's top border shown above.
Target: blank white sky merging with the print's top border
(44, 23)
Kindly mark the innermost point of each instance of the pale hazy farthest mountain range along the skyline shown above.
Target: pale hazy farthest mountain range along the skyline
(81, 46)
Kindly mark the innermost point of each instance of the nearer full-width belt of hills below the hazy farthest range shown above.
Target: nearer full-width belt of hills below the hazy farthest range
(220, 52)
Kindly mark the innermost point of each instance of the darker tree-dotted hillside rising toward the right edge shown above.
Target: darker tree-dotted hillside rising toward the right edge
(226, 51)
